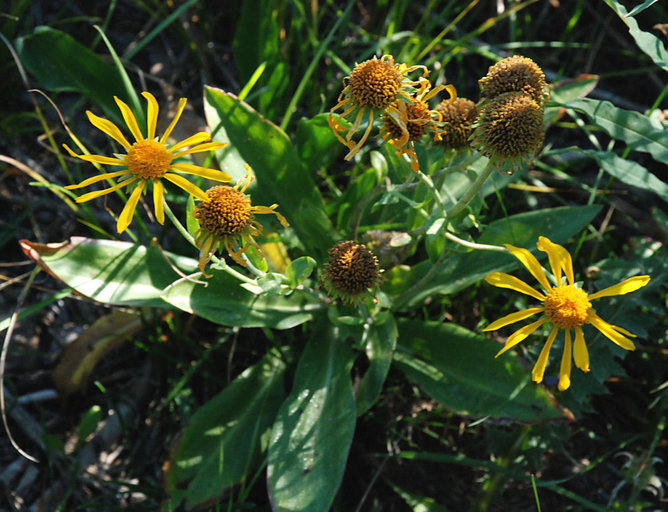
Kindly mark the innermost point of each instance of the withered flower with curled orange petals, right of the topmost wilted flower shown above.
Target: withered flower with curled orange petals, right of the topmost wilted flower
(417, 118)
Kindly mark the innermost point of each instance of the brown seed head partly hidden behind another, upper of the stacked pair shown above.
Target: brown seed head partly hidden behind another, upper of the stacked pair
(515, 74)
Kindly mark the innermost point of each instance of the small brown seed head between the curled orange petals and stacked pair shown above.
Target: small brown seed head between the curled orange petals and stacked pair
(457, 118)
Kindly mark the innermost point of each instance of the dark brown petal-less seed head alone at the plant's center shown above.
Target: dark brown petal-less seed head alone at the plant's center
(351, 271)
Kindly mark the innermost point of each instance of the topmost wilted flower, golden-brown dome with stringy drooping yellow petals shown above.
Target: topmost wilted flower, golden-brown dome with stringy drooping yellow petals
(374, 86)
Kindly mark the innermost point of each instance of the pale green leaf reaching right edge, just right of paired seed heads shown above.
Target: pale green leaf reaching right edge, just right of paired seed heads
(631, 127)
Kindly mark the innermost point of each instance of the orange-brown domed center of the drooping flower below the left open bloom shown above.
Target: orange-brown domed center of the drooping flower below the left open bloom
(227, 213)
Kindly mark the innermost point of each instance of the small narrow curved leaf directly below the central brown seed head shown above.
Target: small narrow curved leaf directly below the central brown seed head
(381, 340)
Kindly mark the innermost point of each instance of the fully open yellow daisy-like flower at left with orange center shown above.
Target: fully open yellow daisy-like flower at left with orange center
(148, 159)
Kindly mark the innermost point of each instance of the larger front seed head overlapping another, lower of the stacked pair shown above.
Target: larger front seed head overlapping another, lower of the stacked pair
(509, 130)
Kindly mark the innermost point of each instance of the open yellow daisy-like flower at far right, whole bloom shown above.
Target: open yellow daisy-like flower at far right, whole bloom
(565, 306)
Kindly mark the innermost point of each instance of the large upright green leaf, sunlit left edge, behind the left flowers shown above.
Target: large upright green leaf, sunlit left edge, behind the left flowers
(281, 178)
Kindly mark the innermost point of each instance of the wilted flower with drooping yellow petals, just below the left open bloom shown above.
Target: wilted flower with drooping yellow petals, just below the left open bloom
(227, 216)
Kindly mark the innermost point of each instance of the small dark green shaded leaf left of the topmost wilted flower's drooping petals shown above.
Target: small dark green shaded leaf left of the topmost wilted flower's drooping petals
(316, 143)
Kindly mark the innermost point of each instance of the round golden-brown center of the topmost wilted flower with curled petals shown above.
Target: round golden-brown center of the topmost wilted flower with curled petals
(374, 84)
